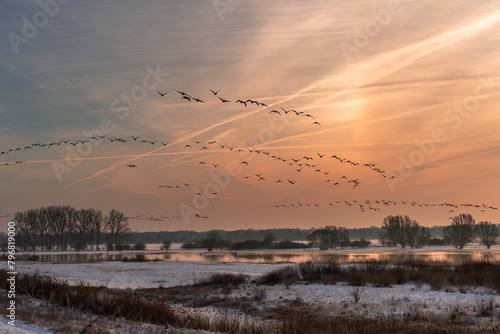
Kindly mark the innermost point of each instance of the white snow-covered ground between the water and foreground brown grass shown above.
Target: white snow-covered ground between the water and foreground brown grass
(397, 299)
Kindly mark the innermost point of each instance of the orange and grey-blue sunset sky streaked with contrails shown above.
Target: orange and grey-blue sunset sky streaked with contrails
(361, 109)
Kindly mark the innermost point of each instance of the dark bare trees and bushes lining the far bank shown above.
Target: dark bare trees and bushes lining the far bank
(65, 227)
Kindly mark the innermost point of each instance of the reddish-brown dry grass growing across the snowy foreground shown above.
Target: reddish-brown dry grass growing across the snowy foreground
(151, 306)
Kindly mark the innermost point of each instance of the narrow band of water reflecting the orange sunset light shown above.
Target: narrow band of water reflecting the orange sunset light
(452, 257)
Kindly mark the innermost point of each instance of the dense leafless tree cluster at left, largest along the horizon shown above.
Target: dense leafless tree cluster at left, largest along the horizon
(63, 227)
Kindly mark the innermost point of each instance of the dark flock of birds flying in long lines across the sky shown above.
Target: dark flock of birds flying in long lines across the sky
(309, 162)
